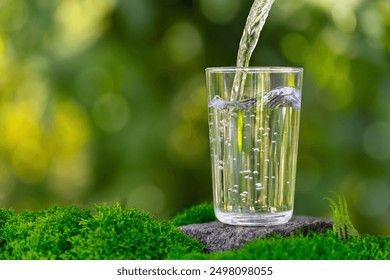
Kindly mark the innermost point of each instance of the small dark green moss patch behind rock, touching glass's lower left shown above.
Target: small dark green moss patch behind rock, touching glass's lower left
(202, 213)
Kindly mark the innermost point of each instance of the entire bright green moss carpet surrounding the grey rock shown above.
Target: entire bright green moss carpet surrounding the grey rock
(117, 233)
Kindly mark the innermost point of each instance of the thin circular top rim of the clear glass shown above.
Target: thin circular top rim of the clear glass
(254, 69)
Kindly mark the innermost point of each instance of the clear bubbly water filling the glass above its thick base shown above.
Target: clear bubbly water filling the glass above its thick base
(248, 157)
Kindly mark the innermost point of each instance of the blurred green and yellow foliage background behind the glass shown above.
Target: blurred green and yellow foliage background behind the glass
(104, 101)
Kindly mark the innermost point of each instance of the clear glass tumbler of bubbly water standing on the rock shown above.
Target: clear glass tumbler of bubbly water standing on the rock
(254, 125)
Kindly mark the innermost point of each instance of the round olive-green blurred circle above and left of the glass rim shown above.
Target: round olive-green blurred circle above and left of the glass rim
(183, 42)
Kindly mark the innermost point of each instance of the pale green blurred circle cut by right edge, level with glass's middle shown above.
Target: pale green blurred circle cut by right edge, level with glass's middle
(376, 141)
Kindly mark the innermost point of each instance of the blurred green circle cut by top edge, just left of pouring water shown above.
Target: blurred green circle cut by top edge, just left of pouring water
(220, 11)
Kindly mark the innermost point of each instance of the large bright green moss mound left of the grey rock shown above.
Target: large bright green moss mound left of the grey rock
(70, 233)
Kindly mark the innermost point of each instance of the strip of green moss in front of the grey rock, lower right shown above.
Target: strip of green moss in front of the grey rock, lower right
(321, 246)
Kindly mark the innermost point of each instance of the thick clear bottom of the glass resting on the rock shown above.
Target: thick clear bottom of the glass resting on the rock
(253, 219)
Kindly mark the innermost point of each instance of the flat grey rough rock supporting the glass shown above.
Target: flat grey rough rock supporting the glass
(217, 236)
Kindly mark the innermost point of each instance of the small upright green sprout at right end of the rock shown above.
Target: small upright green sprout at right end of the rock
(342, 224)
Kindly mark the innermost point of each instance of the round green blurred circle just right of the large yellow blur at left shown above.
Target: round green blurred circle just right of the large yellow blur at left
(111, 112)
